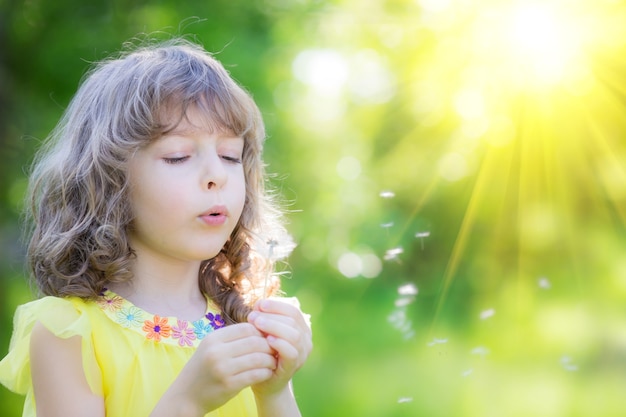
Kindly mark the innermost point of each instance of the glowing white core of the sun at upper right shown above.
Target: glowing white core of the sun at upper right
(538, 44)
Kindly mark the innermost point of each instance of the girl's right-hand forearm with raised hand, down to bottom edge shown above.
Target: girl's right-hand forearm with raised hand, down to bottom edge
(289, 335)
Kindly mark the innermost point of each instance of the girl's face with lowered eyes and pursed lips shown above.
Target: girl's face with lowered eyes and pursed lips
(187, 192)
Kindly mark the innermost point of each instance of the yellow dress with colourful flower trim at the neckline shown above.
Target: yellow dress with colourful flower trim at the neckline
(130, 357)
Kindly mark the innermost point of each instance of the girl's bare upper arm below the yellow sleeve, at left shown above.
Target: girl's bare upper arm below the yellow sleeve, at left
(59, 382)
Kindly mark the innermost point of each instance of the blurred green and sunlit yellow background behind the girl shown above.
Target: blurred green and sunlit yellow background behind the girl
(456, 172)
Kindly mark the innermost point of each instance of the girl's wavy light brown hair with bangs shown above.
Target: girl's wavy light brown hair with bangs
(78, 208)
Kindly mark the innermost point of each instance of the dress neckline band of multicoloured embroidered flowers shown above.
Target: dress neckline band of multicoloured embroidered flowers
(158, 329)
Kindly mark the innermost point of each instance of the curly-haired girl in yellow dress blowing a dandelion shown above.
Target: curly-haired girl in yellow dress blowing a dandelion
(149, 239)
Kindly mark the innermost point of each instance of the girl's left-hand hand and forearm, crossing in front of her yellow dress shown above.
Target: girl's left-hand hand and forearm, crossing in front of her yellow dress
(227, 361)
